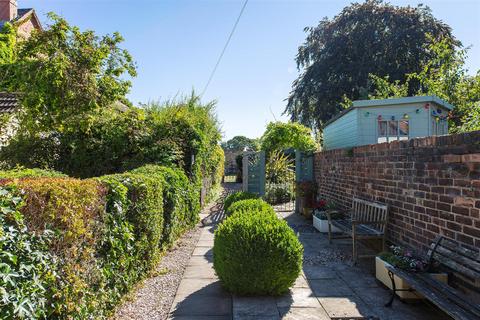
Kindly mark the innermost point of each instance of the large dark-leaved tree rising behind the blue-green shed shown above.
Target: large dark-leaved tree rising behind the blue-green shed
(339, 54)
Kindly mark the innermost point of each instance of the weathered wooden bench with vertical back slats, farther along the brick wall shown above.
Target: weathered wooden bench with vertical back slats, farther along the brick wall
(367, 220)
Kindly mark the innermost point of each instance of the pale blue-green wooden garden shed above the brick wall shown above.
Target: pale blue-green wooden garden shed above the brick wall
(386, 120)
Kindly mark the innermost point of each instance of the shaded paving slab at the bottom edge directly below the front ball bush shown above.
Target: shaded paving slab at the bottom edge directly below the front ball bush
(244, 307)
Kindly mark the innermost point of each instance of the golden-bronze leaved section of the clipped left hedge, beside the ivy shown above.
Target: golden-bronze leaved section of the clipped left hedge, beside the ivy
(73, 209)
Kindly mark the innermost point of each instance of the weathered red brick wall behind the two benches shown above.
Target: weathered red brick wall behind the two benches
(431, 184)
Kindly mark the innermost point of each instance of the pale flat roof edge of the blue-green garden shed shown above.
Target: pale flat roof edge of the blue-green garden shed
(391, 102)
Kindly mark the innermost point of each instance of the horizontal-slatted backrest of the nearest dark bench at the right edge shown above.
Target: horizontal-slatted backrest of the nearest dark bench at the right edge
(460, 259)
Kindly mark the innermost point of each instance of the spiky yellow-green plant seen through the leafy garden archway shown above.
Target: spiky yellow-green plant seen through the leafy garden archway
(280, 168)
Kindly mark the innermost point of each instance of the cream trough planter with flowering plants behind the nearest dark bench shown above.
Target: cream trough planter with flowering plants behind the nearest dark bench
(406, 260)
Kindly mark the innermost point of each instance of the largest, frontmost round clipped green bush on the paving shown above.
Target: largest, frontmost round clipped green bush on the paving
(256, 254)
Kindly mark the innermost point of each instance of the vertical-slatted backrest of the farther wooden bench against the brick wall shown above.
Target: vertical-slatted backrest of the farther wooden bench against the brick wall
(363, 210)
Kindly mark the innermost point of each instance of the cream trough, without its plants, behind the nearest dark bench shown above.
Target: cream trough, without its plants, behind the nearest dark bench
(381, 273)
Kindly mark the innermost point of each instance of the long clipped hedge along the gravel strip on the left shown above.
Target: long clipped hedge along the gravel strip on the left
(93, 239)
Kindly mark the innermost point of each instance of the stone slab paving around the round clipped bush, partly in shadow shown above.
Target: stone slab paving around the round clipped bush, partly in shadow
(326, 289)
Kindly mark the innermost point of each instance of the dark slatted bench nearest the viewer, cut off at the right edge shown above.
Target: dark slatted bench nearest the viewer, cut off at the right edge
(463, 262)
